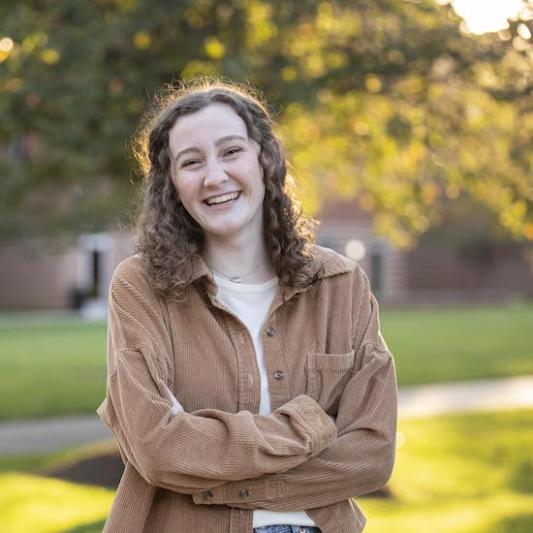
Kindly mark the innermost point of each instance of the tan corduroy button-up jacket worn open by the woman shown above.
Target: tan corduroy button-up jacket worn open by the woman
(205, 469)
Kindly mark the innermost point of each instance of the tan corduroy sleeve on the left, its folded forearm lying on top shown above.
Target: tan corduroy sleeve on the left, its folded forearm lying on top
(184, 451)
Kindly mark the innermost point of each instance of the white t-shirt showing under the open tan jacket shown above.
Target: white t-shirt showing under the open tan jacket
(251, 302)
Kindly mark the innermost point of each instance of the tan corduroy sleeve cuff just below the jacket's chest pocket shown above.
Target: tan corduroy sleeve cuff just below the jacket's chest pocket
(314, 421)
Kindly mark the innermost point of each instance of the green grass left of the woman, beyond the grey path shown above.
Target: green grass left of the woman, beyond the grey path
(50, 367)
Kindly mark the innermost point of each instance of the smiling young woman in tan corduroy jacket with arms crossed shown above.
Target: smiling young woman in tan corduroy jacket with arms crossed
(249, 387)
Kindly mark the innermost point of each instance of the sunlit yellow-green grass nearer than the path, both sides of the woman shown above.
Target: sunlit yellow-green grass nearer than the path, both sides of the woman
(468, 473)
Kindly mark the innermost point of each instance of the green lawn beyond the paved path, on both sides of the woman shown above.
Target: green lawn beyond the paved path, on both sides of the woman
(56, 365)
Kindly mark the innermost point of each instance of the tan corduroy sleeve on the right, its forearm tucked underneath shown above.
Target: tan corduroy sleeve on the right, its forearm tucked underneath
(362, 457)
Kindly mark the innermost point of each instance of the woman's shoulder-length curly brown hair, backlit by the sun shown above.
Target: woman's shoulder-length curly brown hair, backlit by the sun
(167, 237)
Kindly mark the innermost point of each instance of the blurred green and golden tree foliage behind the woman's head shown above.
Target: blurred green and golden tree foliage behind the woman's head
(386, 100)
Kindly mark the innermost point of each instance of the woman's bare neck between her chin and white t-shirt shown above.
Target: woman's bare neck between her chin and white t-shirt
(240, 257)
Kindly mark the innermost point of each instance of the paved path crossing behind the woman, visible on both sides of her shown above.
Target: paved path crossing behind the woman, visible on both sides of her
(36, 436)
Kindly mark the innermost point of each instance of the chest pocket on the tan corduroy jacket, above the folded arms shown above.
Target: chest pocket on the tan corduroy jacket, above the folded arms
(327, 375)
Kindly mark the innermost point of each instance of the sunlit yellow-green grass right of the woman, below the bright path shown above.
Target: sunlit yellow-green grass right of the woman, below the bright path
(469, 473)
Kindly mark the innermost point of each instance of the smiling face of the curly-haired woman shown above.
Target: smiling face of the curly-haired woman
(216, 171)
